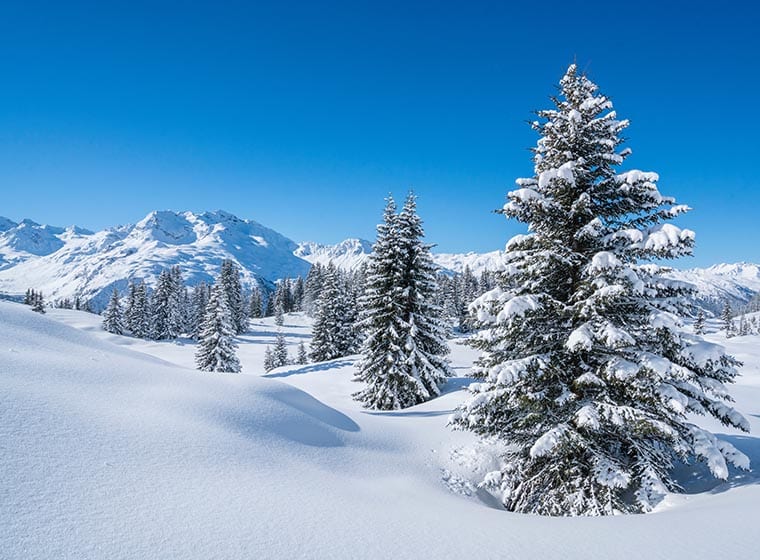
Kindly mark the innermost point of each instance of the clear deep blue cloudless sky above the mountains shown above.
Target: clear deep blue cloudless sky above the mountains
(304, 115)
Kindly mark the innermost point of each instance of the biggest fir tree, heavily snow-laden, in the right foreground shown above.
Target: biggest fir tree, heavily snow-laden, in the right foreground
(585, 374)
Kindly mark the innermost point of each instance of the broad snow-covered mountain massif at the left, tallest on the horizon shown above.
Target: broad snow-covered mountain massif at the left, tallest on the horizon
(65, 262)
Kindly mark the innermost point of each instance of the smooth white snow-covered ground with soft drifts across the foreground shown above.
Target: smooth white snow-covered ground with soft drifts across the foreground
(115, 448)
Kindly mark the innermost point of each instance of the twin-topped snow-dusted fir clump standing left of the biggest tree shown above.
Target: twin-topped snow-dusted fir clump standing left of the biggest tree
(404, 350)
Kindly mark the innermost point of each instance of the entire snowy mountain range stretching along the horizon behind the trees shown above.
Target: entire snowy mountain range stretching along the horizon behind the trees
(64, 262)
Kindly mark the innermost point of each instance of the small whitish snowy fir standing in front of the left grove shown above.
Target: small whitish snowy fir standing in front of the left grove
(216, 349)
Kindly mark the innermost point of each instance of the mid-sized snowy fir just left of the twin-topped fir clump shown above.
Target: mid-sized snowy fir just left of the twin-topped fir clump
(333, 334)
